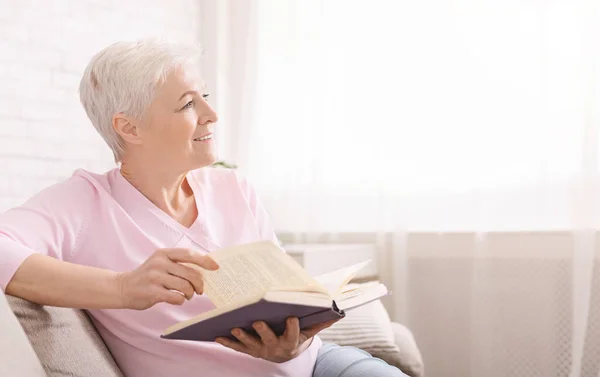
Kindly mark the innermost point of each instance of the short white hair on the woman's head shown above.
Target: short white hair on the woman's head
(123, 78)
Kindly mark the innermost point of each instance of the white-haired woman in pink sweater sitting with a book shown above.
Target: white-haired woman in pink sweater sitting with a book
(115, 244)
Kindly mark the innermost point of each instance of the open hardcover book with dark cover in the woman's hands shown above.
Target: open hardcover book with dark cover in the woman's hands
(260, 282)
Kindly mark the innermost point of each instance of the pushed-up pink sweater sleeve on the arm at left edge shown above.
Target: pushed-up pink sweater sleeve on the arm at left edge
(50, 223)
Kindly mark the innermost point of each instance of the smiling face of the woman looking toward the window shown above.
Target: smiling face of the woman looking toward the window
(176, 131)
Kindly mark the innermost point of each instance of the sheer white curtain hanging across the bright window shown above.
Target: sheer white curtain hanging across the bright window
(459, 135)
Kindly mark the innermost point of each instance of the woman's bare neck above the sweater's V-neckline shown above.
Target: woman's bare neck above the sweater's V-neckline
(166, 188)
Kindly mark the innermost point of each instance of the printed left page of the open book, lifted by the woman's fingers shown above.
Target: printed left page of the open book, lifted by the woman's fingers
(250, 270)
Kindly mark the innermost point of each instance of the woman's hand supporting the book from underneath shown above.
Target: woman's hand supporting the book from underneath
(271, 347)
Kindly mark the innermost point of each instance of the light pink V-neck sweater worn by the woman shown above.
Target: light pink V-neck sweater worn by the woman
(103, 221)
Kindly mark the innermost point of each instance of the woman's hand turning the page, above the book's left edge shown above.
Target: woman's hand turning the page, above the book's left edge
(164, 278)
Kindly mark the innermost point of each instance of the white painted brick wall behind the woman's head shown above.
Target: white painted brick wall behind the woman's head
(44, 47)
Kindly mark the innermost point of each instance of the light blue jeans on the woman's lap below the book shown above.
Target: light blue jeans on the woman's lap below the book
(336, 361)
